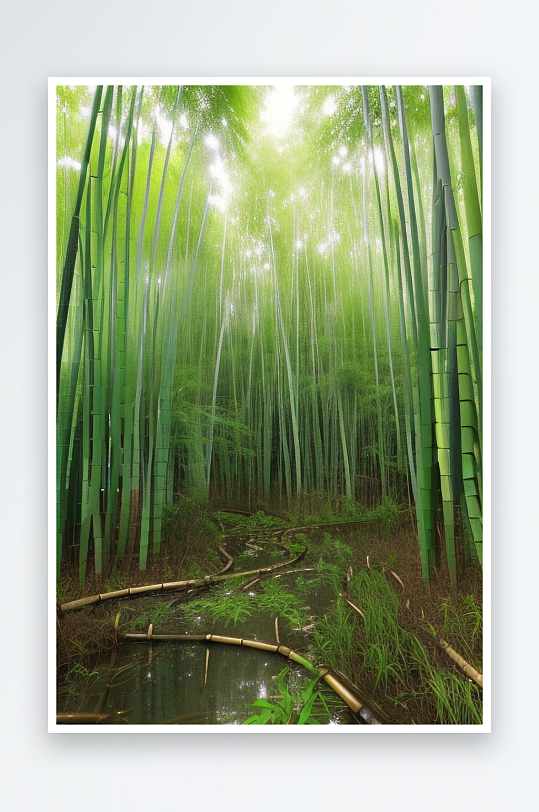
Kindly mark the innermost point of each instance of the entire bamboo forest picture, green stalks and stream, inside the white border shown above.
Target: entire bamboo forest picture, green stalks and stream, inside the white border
(269, 336)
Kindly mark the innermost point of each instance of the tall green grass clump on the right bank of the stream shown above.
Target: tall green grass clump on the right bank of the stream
(387, 660)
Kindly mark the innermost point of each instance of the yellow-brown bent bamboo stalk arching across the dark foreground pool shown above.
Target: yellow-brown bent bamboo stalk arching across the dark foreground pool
(330, 679)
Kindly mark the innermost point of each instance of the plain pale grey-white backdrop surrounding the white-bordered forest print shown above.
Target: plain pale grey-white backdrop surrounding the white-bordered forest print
(253, 39)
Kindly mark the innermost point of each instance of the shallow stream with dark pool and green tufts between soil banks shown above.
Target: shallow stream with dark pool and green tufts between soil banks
(207, 683)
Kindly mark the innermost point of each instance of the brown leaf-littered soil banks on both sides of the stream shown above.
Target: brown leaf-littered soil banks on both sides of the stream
(429, 610)
